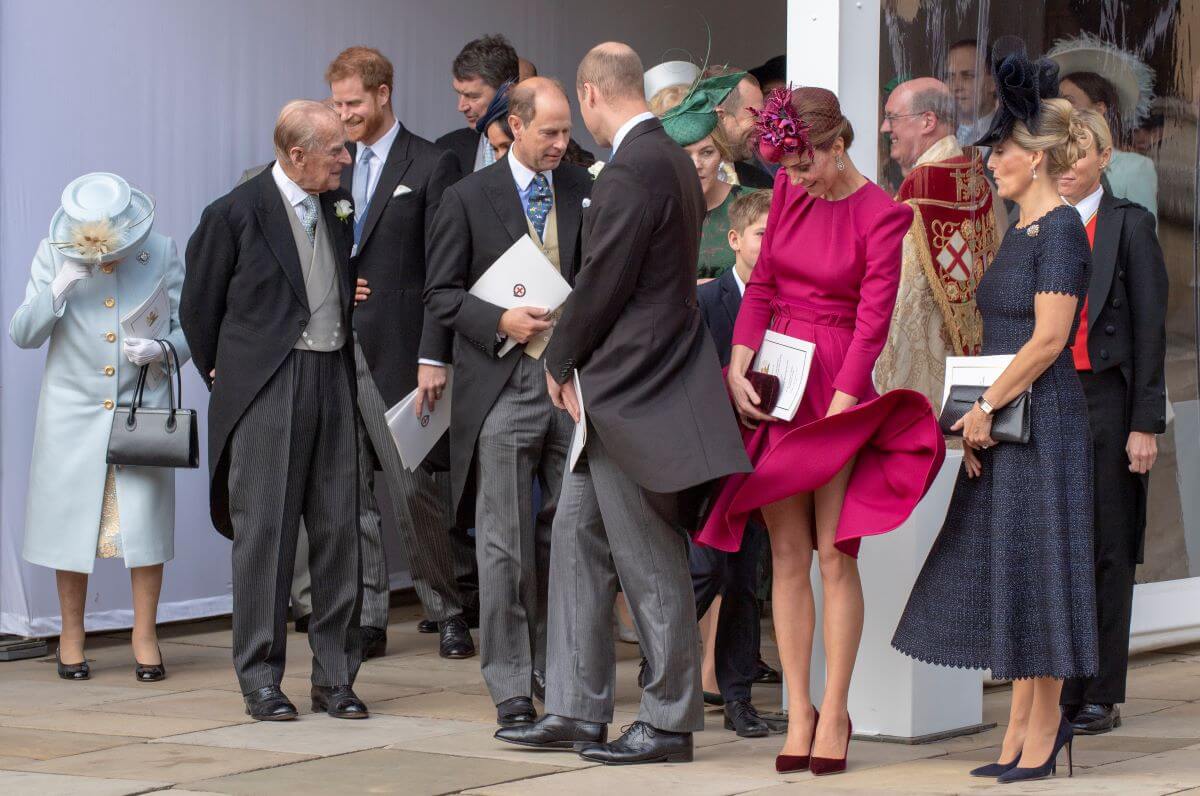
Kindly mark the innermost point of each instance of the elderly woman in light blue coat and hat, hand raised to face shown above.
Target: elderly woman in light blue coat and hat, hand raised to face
(79, 507)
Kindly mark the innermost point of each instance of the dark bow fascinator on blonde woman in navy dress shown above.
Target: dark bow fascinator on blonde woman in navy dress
(1022, 86)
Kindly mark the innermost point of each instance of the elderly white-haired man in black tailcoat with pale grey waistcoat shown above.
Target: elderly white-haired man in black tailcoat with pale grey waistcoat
(266, 309)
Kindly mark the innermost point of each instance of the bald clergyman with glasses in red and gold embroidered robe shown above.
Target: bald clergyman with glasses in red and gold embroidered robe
(955, 237)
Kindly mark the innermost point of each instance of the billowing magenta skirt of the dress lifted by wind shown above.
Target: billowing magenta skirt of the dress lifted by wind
(893, 440)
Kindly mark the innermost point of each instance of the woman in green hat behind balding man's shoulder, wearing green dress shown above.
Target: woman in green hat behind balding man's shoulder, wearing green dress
(689, 117)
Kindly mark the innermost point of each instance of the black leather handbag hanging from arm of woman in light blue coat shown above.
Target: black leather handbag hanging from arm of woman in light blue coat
(155, 438)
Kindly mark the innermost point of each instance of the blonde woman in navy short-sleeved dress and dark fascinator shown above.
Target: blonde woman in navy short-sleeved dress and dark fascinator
(1009, 585)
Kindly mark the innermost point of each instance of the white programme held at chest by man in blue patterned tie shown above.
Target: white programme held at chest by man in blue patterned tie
(523, 278)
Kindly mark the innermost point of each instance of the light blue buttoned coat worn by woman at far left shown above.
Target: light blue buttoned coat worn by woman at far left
(86, 376)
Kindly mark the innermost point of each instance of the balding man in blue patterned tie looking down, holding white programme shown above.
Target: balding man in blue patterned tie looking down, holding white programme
(505, 433)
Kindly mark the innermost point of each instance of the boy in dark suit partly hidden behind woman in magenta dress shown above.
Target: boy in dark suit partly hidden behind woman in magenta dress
(734, 577)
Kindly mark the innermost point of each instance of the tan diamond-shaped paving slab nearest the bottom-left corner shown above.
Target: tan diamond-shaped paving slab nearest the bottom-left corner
(169, 763)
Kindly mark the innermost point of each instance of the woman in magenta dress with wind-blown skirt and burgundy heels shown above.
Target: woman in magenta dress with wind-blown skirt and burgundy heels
(851, 464)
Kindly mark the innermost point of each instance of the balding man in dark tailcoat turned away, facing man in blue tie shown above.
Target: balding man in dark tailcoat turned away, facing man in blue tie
(659, 423)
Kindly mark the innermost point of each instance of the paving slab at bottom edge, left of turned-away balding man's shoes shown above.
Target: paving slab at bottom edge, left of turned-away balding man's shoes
(379, 771)
